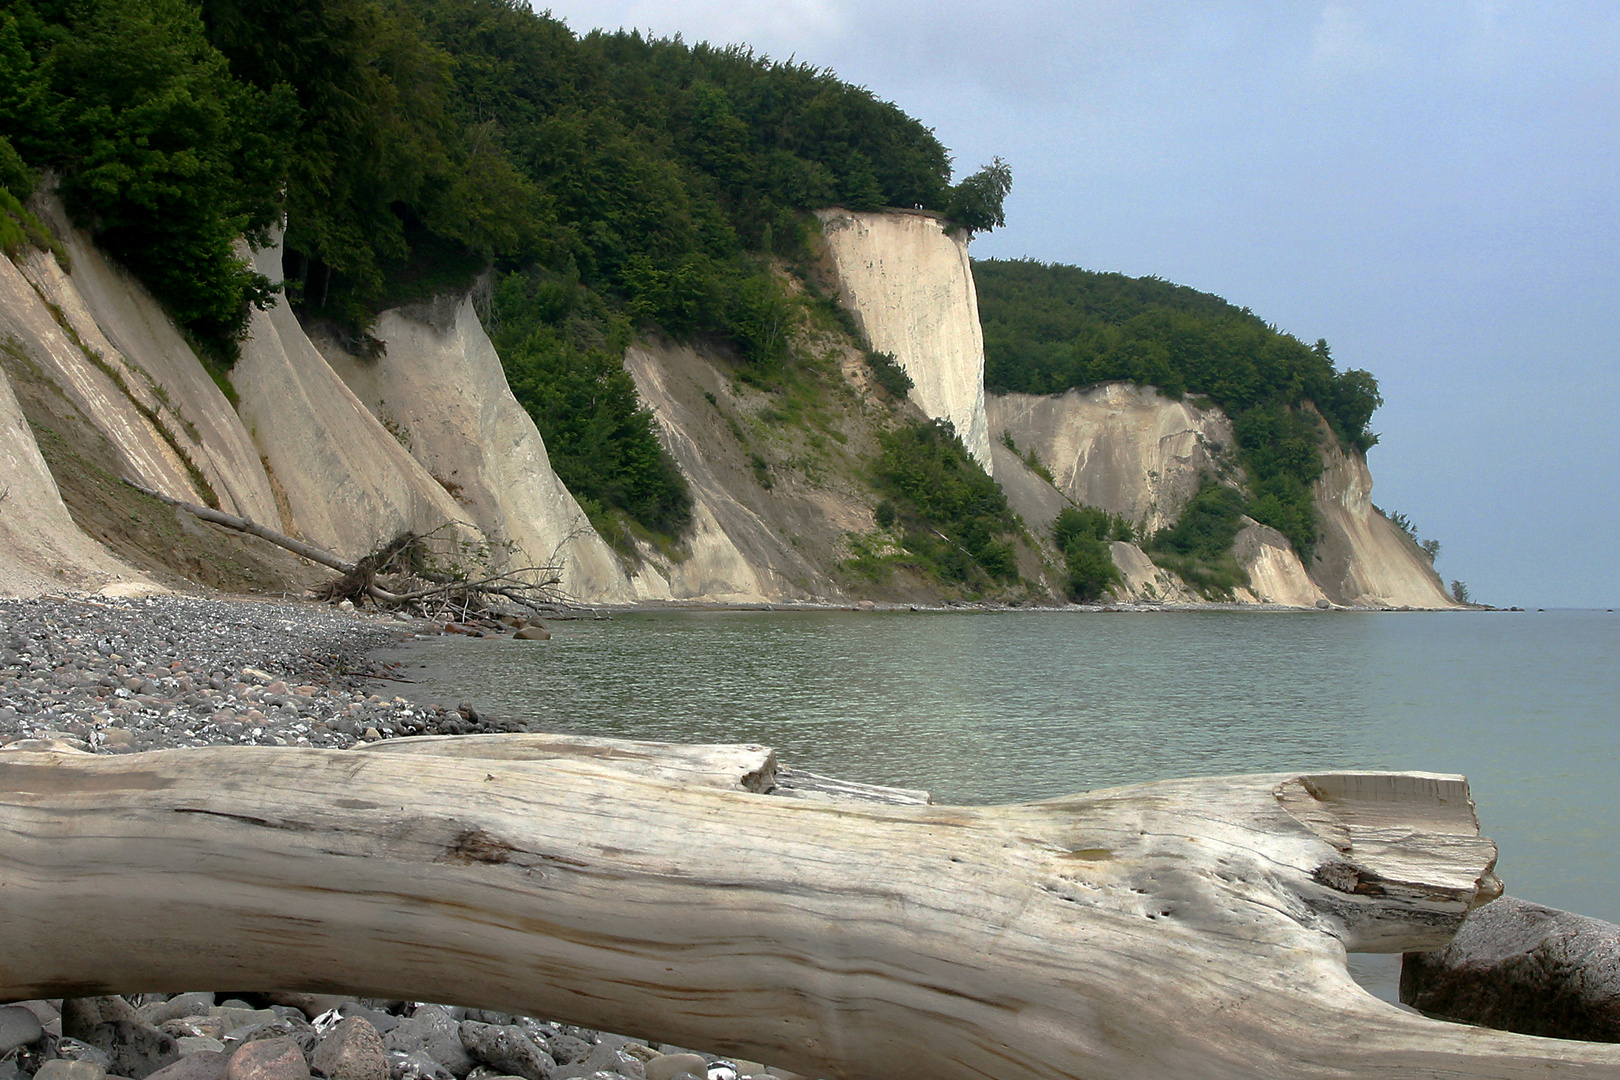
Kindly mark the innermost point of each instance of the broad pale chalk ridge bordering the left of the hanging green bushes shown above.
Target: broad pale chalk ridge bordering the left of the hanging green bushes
(441, 393)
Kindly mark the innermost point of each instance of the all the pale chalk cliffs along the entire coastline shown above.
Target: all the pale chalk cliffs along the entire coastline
(349, 451)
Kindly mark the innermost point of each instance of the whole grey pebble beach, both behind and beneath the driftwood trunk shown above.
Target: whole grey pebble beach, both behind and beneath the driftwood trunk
(124, 676)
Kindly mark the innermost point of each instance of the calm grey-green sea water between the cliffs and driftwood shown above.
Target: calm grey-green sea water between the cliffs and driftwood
(1025, 705)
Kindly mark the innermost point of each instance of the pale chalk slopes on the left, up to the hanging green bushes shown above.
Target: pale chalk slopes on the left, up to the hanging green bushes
(304, 454)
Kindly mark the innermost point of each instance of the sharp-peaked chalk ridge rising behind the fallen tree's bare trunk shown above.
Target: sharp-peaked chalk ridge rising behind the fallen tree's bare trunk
(349, 485)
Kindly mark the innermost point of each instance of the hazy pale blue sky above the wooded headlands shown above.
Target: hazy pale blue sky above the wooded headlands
(1431, 187)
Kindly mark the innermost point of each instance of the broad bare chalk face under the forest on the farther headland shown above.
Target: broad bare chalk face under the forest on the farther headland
(1119, 448)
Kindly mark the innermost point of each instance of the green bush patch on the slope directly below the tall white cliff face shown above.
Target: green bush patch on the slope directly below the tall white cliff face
(953, 517)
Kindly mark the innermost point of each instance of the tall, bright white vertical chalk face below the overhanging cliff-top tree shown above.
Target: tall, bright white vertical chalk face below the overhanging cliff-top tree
(911, 289)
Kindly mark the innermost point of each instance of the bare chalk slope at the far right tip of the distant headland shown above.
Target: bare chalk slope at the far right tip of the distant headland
(1363, 558)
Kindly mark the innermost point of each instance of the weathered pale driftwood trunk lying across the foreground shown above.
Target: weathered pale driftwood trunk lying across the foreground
(1179, 930)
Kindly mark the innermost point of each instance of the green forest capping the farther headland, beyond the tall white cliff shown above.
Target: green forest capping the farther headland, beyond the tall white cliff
(1054, 328)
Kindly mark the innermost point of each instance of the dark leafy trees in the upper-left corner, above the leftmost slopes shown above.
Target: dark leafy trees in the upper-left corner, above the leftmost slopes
(160, 150)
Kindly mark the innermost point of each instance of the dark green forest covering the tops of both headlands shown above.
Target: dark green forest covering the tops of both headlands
(615, 184)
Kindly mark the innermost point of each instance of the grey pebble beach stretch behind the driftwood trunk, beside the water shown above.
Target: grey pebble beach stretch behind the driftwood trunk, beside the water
(121, 676)
